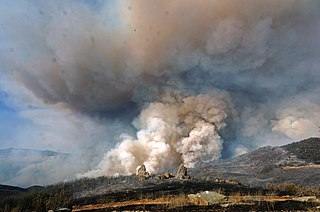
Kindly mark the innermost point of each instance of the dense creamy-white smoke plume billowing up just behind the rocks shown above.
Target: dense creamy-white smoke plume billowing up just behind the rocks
(185, 130)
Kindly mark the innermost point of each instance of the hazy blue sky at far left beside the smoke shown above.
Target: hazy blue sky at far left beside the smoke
(17, 17)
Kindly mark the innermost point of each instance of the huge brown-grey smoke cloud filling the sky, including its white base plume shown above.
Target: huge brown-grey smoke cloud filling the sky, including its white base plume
(204, 80)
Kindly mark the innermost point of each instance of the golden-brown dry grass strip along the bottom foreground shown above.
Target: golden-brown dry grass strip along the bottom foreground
(265, 201)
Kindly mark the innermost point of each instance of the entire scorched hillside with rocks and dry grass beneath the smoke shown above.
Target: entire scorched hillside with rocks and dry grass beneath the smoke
(269, 178)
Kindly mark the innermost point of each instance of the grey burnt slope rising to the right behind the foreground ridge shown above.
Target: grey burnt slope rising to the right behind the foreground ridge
(295, 163)
